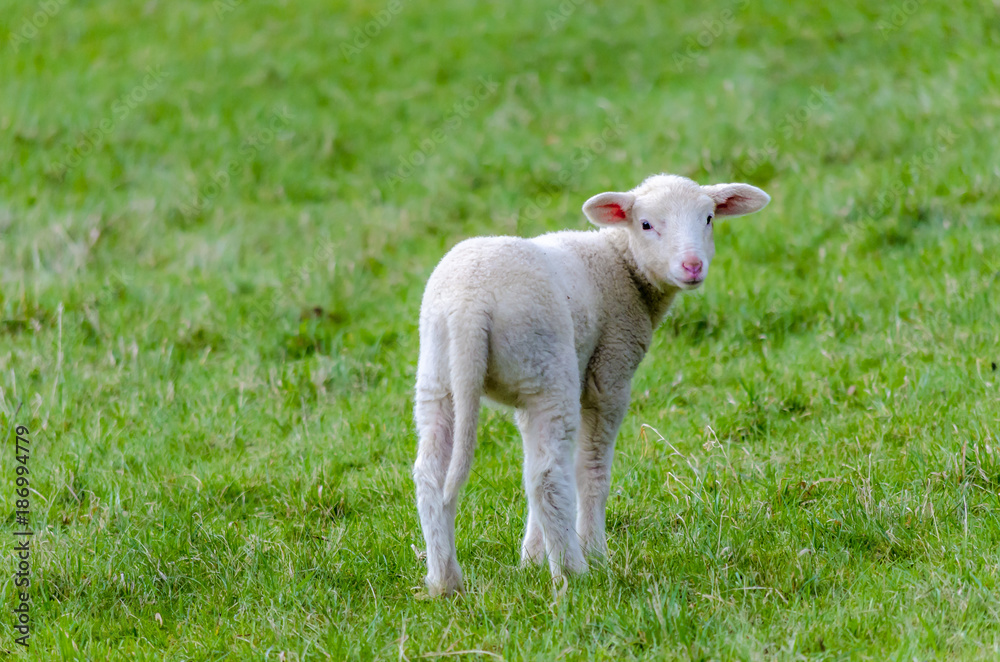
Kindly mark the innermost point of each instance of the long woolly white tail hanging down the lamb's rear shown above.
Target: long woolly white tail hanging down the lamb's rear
(468, 353)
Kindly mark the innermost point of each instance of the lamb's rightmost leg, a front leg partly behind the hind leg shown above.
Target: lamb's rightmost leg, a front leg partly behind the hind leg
(594, 455)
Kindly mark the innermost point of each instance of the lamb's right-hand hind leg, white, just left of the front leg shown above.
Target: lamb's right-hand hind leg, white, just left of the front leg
(549, 428)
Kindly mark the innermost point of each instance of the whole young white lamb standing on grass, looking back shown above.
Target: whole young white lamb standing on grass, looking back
(555, 327)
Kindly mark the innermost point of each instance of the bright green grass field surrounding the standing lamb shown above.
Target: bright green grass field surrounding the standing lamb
(216, 369)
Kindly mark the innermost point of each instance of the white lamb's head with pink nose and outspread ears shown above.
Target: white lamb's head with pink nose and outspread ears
(669, 223)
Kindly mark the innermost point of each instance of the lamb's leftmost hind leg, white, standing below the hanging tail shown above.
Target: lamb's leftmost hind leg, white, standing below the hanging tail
(435, 427)
